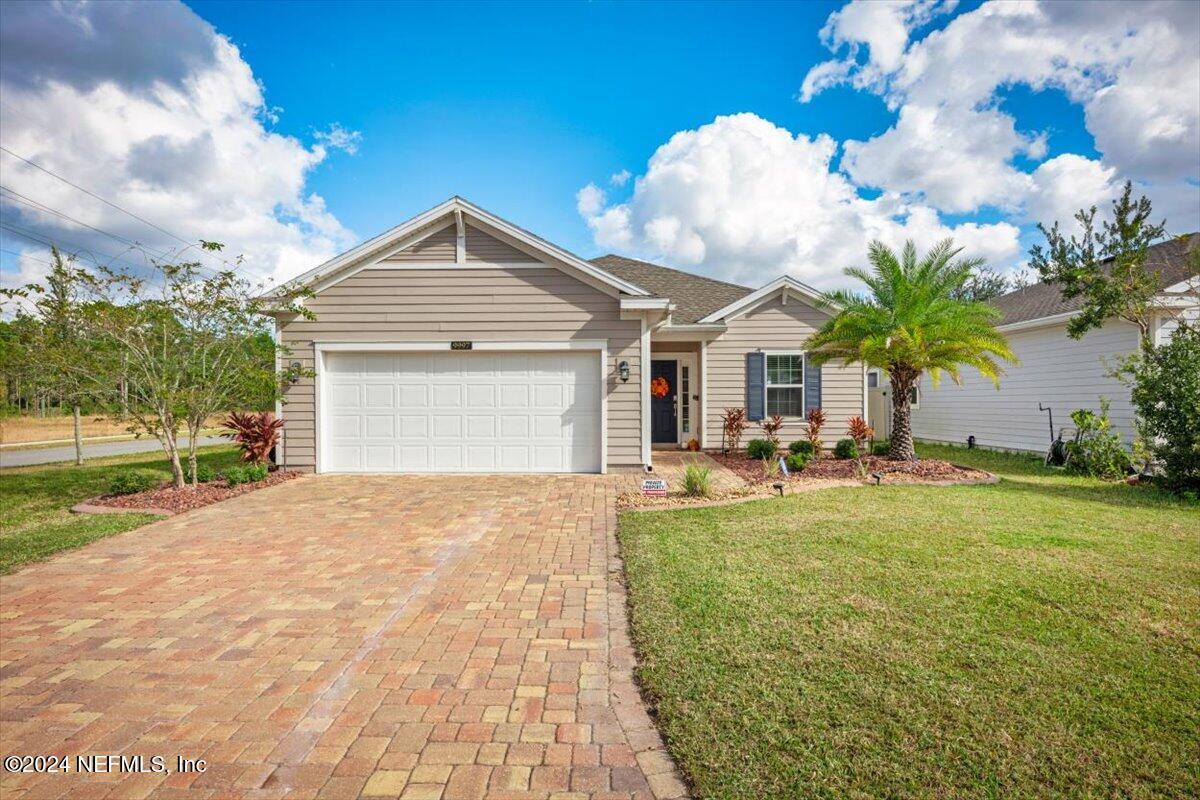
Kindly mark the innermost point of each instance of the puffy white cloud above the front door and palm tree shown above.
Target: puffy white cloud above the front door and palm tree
(746, 201)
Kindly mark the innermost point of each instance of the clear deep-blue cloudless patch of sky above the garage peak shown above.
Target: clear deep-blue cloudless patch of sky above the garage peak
(518, 106)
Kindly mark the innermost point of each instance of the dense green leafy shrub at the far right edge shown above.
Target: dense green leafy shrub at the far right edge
(1167, 398)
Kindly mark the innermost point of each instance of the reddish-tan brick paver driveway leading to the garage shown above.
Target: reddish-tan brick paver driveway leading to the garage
(339, 636)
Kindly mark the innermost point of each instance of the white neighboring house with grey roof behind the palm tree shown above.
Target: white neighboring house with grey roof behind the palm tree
(1055, 371)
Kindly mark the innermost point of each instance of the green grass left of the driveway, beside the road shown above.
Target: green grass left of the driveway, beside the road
(35, 502)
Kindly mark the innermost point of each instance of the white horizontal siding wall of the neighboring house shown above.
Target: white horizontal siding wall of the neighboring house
(1055, 370)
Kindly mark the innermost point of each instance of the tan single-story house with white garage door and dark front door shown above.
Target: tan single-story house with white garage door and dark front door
(460, 342)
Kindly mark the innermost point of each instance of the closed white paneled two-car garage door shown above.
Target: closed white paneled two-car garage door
(461, 412)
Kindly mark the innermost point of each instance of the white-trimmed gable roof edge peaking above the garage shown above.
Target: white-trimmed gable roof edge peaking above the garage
(433, 224)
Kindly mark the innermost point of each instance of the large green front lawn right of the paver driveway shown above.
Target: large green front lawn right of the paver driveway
(1040, 637)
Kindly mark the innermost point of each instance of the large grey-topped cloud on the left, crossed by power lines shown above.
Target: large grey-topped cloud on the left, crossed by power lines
(147, 106)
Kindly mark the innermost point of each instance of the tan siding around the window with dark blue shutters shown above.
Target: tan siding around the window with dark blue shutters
(776, 327)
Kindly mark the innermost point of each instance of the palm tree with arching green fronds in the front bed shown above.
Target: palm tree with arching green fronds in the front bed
(913, 321)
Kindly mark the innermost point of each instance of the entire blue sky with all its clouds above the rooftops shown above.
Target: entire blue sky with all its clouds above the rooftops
(760, 139)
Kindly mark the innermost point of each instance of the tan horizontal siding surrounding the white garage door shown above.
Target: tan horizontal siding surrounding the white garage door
(479, 304)
